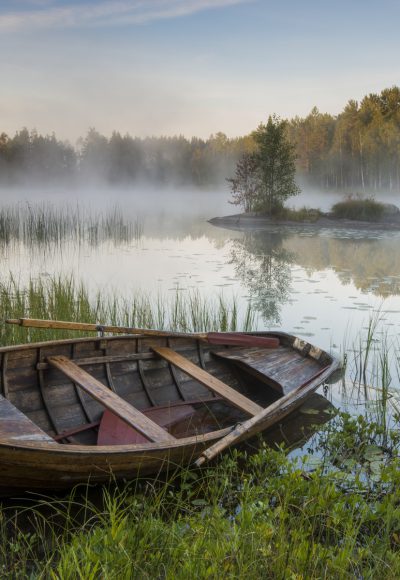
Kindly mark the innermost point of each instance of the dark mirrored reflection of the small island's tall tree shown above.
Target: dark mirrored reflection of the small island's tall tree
(263, 265)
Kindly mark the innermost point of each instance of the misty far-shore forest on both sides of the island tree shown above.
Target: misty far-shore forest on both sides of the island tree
(357, 150)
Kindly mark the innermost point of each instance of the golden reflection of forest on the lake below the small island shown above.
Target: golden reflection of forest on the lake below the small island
(369, 260)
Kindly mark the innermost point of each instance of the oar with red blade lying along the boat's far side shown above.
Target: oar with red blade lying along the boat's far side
(223, 338)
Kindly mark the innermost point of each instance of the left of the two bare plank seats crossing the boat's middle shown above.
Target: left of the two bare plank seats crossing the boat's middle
(111, 401)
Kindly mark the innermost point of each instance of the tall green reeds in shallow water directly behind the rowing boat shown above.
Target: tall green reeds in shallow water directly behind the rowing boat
(63, 298)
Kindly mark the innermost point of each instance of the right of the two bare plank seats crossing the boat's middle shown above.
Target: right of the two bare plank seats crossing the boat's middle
(209, 381)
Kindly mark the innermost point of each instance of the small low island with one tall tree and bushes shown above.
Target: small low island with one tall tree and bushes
(265, 178)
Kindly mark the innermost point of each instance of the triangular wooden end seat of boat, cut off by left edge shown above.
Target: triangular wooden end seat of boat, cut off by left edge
(16, 426)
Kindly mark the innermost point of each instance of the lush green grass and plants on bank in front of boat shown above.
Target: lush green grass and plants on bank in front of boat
(334, 514)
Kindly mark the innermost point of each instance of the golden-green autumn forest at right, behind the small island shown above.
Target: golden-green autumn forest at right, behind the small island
(358, 149)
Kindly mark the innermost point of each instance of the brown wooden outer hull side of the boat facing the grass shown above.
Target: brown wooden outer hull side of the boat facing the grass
(37, 466)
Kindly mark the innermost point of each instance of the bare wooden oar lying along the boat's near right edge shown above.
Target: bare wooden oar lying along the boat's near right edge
(267, 417)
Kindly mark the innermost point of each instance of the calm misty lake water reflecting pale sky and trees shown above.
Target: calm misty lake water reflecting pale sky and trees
(325, 285)
